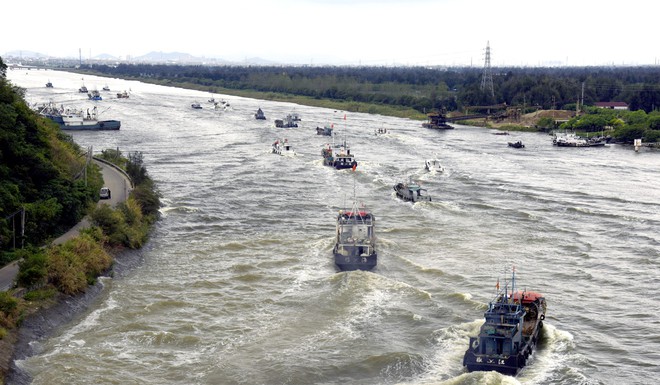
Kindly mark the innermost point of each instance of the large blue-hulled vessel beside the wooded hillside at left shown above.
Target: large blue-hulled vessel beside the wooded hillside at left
(72, 119)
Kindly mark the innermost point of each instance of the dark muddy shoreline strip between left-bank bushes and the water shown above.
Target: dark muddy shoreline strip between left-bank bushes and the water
(43, 323)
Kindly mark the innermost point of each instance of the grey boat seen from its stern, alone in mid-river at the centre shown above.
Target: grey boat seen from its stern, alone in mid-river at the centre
(355, 245)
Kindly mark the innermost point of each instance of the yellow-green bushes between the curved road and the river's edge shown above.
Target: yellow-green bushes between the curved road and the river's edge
(72, 266)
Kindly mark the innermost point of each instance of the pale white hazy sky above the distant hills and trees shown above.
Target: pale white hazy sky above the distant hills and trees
(369, 32)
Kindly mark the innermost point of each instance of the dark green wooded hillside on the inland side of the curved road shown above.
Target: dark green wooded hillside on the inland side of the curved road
(44, 189)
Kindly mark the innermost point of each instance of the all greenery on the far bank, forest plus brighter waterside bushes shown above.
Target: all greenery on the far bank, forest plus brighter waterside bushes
(410, 92)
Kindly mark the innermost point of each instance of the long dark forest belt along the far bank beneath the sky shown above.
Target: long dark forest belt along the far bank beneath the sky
(422, 88)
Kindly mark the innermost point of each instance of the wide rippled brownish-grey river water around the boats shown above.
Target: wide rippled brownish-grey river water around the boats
(237, 284)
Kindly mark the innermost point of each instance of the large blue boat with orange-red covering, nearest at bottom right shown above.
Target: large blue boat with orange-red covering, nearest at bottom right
(510, 332)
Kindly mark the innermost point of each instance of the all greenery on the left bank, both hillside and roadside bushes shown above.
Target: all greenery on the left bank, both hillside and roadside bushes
(46, 187)
